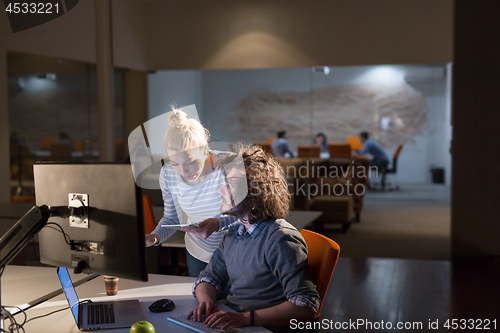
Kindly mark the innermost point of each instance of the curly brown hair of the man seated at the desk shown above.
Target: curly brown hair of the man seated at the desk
(268, 197)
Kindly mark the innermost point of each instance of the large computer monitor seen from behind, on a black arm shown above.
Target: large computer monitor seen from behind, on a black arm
(110, 238)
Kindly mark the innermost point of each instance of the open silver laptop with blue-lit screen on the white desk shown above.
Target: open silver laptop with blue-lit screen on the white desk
(99, 315)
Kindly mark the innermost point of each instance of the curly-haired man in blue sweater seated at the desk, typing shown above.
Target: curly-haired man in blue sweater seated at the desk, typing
(265, 259)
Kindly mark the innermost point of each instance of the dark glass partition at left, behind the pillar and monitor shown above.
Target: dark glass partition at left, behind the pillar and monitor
(53, 115)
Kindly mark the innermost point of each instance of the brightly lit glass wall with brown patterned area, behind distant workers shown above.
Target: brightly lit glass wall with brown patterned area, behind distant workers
(395, 104)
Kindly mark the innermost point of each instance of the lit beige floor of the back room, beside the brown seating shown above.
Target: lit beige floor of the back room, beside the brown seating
(413, 223)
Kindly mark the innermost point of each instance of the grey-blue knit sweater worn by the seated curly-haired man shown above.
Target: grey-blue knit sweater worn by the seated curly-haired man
(266, 267)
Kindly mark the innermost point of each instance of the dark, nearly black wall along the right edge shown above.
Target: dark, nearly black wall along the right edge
(476, 127)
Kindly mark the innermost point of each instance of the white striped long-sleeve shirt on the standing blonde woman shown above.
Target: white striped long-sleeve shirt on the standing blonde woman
(197, 202)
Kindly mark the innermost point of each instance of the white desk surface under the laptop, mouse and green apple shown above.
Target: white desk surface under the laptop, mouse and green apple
(22, 284)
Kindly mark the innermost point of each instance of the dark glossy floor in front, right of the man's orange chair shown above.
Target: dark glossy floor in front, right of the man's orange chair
(412, 292)
